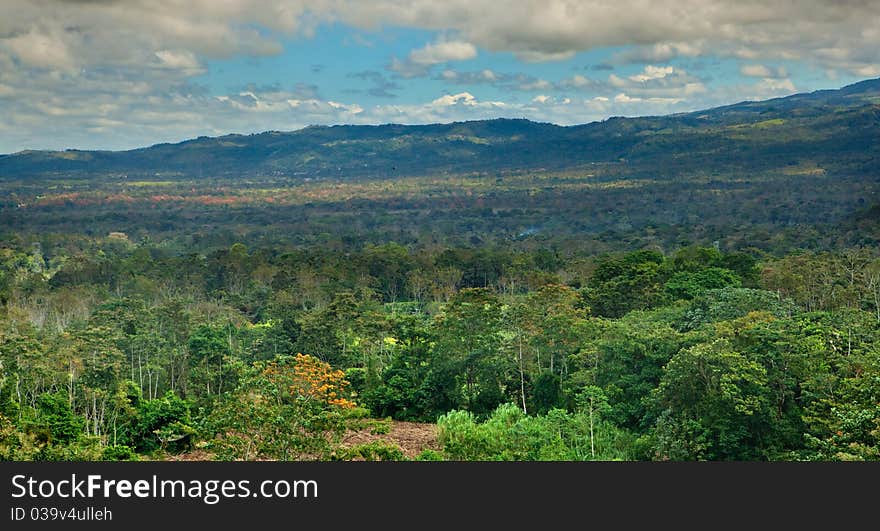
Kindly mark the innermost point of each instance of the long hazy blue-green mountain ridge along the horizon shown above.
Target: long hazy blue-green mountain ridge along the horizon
(834, 129)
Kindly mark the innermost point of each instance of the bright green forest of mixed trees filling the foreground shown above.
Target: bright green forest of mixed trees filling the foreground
(137, 350)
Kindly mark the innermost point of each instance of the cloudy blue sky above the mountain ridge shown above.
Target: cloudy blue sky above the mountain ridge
(122, 74)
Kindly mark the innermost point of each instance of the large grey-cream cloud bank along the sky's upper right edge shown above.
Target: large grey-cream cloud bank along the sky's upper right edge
(662, 29)
